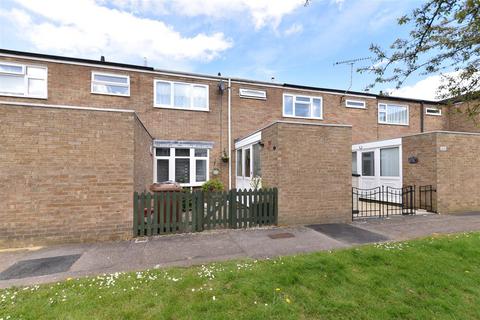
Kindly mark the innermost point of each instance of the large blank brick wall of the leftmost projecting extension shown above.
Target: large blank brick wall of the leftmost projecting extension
(66, 175)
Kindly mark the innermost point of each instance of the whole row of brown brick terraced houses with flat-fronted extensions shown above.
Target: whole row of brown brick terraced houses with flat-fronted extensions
(79, 136)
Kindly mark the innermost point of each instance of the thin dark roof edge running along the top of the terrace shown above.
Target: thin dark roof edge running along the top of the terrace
(151, 69)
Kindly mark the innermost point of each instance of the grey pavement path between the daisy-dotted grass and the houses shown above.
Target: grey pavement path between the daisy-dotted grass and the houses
(198, 248)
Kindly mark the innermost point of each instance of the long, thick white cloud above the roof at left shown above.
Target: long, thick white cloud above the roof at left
(86, 28)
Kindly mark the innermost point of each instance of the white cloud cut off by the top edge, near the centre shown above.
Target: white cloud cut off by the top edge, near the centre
(260, 12)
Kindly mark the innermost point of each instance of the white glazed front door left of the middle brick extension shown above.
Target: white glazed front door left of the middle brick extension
(248, 166)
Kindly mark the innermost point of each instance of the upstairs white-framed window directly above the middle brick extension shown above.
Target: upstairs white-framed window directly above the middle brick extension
(302, 106)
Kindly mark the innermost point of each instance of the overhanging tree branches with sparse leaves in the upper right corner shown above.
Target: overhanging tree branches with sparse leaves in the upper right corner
(445, 38)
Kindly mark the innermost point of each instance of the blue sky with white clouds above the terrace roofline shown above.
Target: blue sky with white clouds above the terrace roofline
(253, 39)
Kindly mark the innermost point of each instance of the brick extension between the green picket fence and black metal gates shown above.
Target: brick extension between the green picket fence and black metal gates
(311, 167)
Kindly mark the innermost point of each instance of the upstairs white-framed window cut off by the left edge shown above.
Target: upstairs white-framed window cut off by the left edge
(23, 80)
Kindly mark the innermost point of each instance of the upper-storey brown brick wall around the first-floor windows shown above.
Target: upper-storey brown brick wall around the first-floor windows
(70, 84)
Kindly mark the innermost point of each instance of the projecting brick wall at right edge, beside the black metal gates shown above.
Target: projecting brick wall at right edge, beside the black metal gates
(448, 161)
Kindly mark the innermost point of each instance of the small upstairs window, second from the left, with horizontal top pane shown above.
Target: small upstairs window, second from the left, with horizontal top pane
(111, 84)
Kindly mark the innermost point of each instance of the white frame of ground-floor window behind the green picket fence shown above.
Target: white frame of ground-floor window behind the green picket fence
(193, 165)
